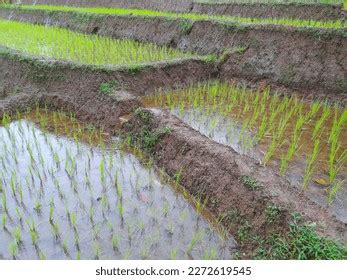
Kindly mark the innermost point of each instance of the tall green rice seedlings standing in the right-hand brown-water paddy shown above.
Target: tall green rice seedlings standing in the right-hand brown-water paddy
(288, 129)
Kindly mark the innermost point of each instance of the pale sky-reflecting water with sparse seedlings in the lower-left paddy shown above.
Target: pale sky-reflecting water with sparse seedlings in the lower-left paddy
(62, 199)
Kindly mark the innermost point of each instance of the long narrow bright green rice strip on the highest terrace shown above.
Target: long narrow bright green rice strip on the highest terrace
(188, 16)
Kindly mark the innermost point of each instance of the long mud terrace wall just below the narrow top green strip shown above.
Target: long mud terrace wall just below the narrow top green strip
(309, 59)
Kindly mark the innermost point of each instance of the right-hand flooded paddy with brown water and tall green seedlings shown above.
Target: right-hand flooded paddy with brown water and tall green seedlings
(306, 142)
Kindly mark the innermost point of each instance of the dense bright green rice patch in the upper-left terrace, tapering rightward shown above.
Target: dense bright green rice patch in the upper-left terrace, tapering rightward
(62, 44)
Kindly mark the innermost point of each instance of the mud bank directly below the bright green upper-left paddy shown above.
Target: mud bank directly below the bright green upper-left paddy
(96, 94)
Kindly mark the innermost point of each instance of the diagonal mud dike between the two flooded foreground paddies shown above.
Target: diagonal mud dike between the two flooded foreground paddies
(212, 171)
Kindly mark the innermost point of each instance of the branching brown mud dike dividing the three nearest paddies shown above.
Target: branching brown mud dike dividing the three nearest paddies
(215, 170)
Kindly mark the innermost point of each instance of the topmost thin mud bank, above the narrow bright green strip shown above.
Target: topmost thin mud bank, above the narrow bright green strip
(314, 11)
